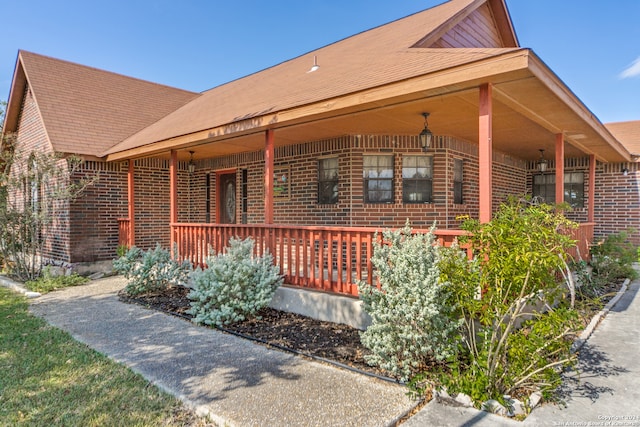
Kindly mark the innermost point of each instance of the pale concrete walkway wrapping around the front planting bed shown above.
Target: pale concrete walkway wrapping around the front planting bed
(241, 383)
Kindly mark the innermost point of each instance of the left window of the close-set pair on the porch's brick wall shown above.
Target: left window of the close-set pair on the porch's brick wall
(378, 179)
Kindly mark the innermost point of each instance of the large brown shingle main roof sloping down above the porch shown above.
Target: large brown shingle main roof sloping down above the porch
(369, 59)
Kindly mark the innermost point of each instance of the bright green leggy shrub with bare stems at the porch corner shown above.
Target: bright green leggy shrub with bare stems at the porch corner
(518, 255)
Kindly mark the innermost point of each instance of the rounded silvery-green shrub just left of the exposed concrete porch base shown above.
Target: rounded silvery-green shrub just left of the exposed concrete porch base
(235, 285)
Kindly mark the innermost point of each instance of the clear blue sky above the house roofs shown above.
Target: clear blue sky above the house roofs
(593, 46)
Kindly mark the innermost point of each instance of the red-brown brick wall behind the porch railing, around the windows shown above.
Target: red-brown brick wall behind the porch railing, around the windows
(301, 207)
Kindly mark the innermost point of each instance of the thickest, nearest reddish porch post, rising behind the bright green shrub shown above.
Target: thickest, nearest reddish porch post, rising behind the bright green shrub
(485, 153)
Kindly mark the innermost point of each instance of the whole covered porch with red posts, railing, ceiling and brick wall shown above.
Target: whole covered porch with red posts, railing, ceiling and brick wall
(496, 117)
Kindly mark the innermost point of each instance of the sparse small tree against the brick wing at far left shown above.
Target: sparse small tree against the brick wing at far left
(36, 192)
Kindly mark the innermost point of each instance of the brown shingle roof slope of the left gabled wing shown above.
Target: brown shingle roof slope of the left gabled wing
(86, 110)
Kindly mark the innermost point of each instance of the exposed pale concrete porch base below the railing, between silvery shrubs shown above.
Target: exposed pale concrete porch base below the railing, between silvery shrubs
(321, 306)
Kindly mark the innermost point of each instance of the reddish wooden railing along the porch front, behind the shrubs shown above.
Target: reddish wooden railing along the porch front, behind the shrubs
(332, 259)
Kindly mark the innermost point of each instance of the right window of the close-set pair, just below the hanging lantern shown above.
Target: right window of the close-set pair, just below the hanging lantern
(417, 179)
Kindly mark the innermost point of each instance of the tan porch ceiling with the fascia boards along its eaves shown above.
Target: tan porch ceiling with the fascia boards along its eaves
(530, 106)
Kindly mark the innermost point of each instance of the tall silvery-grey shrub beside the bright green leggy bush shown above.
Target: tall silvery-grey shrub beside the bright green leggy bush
(412, 324)
